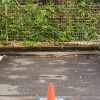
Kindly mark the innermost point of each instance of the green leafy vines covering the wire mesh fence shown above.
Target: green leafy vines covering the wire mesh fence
(33, 23)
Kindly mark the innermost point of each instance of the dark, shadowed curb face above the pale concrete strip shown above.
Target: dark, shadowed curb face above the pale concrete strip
(65, 48)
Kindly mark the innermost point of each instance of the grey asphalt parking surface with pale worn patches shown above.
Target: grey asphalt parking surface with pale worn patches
(28, 77)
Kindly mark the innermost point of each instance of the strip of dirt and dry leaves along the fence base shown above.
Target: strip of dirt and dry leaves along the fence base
(45, 44)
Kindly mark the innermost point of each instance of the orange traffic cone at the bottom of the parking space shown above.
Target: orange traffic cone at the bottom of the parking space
(51, 93)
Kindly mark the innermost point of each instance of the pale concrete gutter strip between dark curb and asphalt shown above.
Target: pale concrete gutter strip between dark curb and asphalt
(51, 53)
